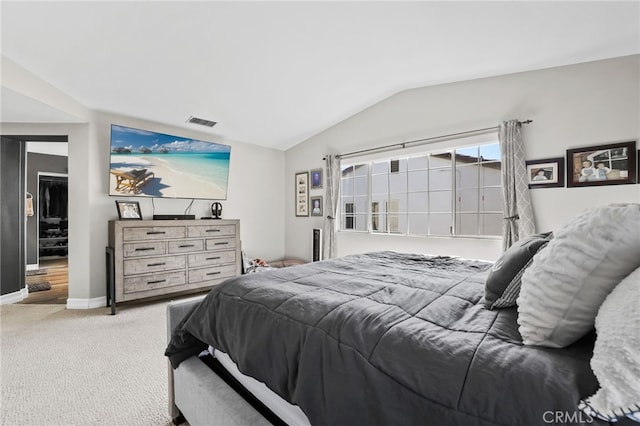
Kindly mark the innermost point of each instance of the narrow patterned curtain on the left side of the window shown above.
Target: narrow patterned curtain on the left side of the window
(332, 192)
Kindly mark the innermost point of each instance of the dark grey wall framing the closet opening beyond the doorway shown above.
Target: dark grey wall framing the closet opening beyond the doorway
(43, 163)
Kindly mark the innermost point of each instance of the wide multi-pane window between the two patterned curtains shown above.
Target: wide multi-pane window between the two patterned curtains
(453, 192)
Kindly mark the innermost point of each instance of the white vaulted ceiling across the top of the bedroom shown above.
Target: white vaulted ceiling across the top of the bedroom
(276, 73)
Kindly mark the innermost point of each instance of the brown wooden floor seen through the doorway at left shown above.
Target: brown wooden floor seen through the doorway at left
(56, 272)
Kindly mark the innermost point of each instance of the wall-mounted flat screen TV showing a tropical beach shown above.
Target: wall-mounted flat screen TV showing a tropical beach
(151, 164)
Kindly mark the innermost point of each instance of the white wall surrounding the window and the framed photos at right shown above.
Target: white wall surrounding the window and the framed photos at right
(572, 106)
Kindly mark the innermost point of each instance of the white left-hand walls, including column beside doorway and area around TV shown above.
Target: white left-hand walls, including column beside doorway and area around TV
(256, 183)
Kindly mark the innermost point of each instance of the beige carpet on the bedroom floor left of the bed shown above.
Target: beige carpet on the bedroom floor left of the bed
(83, 367)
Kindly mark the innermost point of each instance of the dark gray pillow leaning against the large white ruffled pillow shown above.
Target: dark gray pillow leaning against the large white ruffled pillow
(503, 283)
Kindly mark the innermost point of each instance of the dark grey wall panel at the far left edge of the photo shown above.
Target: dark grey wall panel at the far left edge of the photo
(12, 215)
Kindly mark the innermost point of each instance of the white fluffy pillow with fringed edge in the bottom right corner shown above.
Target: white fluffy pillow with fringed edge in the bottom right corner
(616, 353)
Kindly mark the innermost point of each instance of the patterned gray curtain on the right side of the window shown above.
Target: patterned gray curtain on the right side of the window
(518, 213)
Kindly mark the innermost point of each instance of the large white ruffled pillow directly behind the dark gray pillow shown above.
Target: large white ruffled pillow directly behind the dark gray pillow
(568, 280)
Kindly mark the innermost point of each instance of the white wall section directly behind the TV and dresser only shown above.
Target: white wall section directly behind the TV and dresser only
(255, 194)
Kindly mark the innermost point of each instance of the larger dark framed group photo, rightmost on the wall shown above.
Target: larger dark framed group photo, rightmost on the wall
(611, 164)
